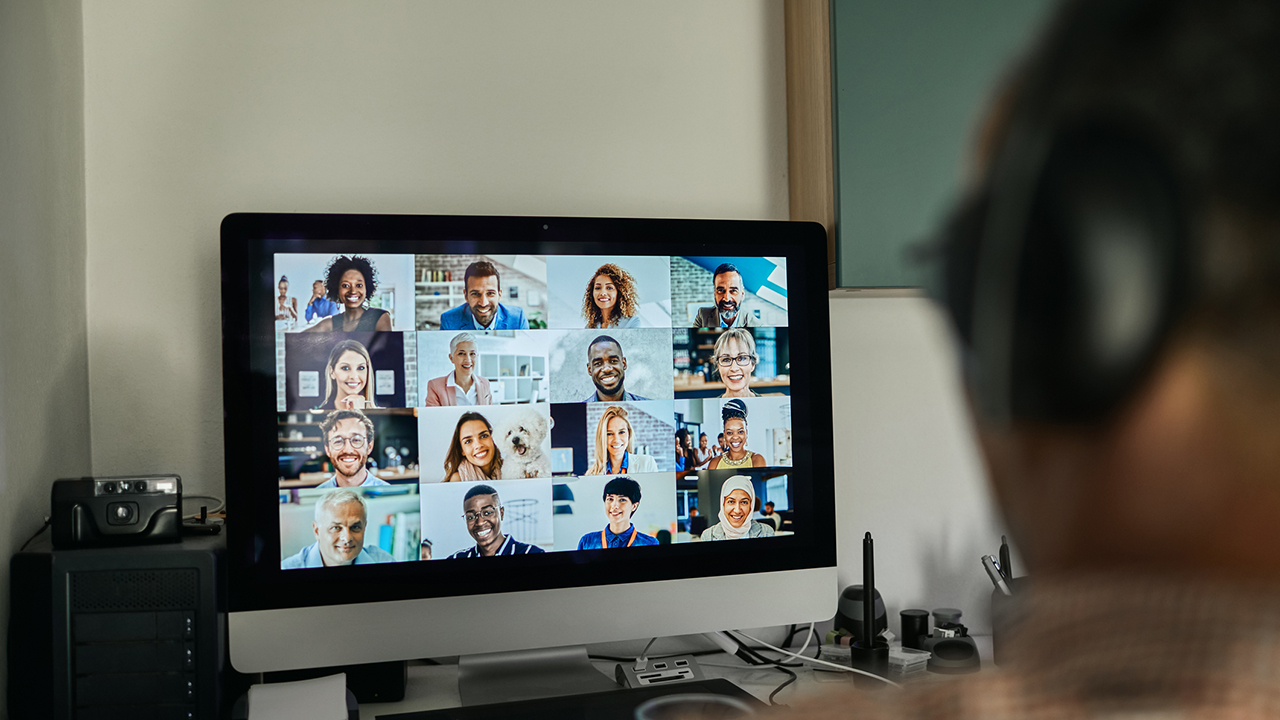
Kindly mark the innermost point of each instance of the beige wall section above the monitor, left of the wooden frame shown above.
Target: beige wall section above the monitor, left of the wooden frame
(556, 108)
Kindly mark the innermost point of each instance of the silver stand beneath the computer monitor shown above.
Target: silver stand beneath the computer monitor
(509, 677)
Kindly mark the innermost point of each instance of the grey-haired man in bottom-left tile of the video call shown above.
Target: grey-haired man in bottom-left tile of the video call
(341, 521)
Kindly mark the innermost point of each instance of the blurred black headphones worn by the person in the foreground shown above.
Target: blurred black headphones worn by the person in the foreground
(1066, 272)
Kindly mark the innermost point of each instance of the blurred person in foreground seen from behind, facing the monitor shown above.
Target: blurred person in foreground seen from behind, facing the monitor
(1149, 530)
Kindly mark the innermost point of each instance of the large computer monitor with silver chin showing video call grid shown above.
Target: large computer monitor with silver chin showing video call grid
(467, 435)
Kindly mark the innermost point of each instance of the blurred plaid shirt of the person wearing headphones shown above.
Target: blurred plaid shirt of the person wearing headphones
(1149, 649)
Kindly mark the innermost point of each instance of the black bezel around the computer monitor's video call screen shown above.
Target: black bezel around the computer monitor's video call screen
(249, 243)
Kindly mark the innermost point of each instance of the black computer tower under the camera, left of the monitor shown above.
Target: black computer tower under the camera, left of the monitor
(117, 634)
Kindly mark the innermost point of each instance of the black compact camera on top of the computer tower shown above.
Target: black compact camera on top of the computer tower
(124, 511)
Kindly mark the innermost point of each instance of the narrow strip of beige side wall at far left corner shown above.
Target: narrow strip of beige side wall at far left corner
(44, 363)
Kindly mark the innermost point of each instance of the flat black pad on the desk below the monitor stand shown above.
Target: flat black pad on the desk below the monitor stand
(612, 705)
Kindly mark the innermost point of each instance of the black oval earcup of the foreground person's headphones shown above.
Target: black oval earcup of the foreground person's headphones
(1100, 280)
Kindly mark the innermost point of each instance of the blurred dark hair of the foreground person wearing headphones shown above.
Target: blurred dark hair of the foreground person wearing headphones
(1197, 81)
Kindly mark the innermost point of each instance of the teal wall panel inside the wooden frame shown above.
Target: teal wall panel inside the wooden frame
(911, 83)
